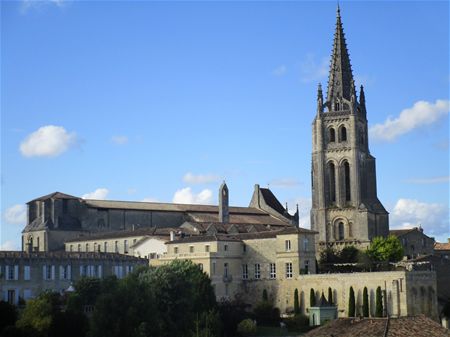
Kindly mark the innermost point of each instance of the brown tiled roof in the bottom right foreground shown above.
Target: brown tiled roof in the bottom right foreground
(417, 326)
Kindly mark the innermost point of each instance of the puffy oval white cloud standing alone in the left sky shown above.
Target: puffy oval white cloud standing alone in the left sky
(47, 141)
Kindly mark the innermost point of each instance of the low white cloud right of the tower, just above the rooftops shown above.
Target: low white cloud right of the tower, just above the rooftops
(433, 217)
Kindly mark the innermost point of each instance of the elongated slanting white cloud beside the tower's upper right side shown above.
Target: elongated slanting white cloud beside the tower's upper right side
(422, 113)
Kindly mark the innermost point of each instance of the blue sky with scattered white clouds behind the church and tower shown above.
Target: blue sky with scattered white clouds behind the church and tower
(163, 100)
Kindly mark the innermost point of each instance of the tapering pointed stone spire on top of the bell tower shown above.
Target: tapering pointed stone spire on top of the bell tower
(341, 78)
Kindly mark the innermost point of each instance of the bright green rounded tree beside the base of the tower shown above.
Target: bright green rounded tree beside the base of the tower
(385, 249)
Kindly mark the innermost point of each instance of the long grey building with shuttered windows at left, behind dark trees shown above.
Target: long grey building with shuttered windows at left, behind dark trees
(24, 275)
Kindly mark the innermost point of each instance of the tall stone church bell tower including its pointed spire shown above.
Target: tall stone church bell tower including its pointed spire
(345, 207)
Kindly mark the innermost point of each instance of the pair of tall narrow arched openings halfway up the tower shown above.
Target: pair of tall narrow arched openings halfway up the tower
(339, 179)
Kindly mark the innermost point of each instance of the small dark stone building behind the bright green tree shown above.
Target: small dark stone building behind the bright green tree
(414, 241)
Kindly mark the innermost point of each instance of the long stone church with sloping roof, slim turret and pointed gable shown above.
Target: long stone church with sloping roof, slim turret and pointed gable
(57, 218)
